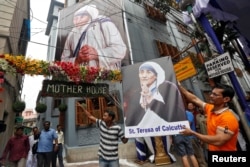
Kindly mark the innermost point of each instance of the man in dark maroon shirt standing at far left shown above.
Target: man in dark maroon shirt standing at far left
(16, 150)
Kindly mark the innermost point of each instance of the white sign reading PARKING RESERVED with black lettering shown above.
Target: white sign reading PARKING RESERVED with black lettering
(219, 65)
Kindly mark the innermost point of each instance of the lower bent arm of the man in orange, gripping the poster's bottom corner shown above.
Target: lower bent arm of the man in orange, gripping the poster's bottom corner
(218, 139)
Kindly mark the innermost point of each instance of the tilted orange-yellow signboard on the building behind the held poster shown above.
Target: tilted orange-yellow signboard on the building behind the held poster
(184, 69)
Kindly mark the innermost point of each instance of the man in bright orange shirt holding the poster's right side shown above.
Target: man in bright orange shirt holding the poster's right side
(222, 126)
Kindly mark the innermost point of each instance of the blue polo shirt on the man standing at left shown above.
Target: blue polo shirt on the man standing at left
(45, 143)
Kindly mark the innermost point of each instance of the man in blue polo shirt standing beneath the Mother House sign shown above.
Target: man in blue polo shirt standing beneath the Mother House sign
(45, 145)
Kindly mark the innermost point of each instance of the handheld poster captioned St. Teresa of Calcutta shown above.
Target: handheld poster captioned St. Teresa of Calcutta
(153, 105)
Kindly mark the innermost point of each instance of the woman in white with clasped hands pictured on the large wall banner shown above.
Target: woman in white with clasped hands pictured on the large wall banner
(94, 41)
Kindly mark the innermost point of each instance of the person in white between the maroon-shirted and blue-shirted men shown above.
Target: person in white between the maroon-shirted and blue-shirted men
(32, 159)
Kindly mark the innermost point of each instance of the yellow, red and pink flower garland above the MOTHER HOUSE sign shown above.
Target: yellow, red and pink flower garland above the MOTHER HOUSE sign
(63, 71)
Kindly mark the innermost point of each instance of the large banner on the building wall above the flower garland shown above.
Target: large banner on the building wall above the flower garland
(92, 33)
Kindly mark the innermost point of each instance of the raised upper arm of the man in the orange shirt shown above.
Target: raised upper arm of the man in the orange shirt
(191, 97)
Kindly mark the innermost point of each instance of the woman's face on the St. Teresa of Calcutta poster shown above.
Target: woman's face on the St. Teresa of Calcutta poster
(147, 77)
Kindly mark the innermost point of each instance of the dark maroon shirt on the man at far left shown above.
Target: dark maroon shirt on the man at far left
(17, 147)
